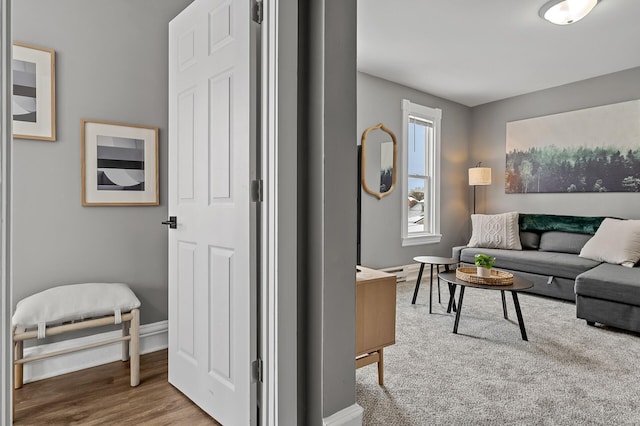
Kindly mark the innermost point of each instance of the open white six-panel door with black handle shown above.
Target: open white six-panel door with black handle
(212, 261)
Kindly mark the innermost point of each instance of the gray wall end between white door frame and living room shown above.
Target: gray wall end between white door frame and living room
(328, 206)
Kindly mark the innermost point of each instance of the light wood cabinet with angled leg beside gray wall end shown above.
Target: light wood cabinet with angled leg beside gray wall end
(375, 317)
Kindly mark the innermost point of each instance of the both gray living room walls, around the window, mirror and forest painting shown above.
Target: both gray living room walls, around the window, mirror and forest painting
(477, 134)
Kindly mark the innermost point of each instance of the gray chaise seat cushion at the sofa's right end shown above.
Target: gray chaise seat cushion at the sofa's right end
(610, 282)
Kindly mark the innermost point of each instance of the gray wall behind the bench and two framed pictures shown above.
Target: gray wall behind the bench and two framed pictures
(111, 65)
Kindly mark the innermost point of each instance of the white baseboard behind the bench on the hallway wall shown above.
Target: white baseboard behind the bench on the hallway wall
(153, 337)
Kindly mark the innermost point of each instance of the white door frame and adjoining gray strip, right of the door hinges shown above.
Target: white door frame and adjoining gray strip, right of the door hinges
(279, 319)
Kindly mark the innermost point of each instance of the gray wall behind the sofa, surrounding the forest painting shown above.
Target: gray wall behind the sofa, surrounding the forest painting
(489, 136)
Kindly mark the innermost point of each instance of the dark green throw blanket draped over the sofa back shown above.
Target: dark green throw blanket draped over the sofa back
(550, 222)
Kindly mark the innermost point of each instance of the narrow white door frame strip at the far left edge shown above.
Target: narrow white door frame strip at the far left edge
(6, 344)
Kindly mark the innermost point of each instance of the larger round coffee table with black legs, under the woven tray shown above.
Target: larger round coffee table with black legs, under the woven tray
(519, 284)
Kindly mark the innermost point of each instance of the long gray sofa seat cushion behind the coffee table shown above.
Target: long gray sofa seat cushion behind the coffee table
(553, 264)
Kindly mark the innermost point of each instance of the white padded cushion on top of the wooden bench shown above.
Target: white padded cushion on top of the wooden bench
(74, 302)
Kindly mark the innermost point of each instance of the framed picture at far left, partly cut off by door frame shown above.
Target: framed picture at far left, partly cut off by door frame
(33, 100)
